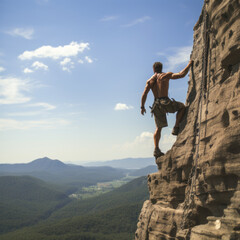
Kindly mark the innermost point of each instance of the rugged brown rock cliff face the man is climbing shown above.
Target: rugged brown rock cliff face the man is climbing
(196, 192)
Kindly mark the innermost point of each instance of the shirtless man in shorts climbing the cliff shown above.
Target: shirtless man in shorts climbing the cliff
(159, 84)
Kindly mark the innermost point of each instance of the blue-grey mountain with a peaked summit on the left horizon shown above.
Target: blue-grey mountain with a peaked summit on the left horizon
(58, 172)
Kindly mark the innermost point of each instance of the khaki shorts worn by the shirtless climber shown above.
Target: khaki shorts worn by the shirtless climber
(161, 107)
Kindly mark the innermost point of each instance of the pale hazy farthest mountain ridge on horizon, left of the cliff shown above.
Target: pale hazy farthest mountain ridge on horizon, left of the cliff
(127, 163)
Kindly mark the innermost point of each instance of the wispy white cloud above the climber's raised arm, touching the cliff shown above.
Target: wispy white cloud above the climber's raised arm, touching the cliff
(179, 57)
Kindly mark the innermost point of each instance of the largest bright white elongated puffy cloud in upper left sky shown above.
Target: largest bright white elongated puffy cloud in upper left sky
(72, 49)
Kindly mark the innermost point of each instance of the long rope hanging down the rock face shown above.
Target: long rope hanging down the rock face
(191, 184)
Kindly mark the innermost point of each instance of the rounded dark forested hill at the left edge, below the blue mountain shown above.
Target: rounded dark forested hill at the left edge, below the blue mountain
(25, 200)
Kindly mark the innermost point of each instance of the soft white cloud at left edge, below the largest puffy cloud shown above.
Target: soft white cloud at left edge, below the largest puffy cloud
(11, 90)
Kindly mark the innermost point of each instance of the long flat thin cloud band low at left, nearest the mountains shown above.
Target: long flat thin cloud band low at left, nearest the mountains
(12, 124)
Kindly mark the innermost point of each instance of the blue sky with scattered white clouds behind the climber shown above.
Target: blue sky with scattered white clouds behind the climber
(72, 74)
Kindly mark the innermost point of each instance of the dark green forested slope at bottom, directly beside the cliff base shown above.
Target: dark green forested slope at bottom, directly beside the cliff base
(109, 216)
